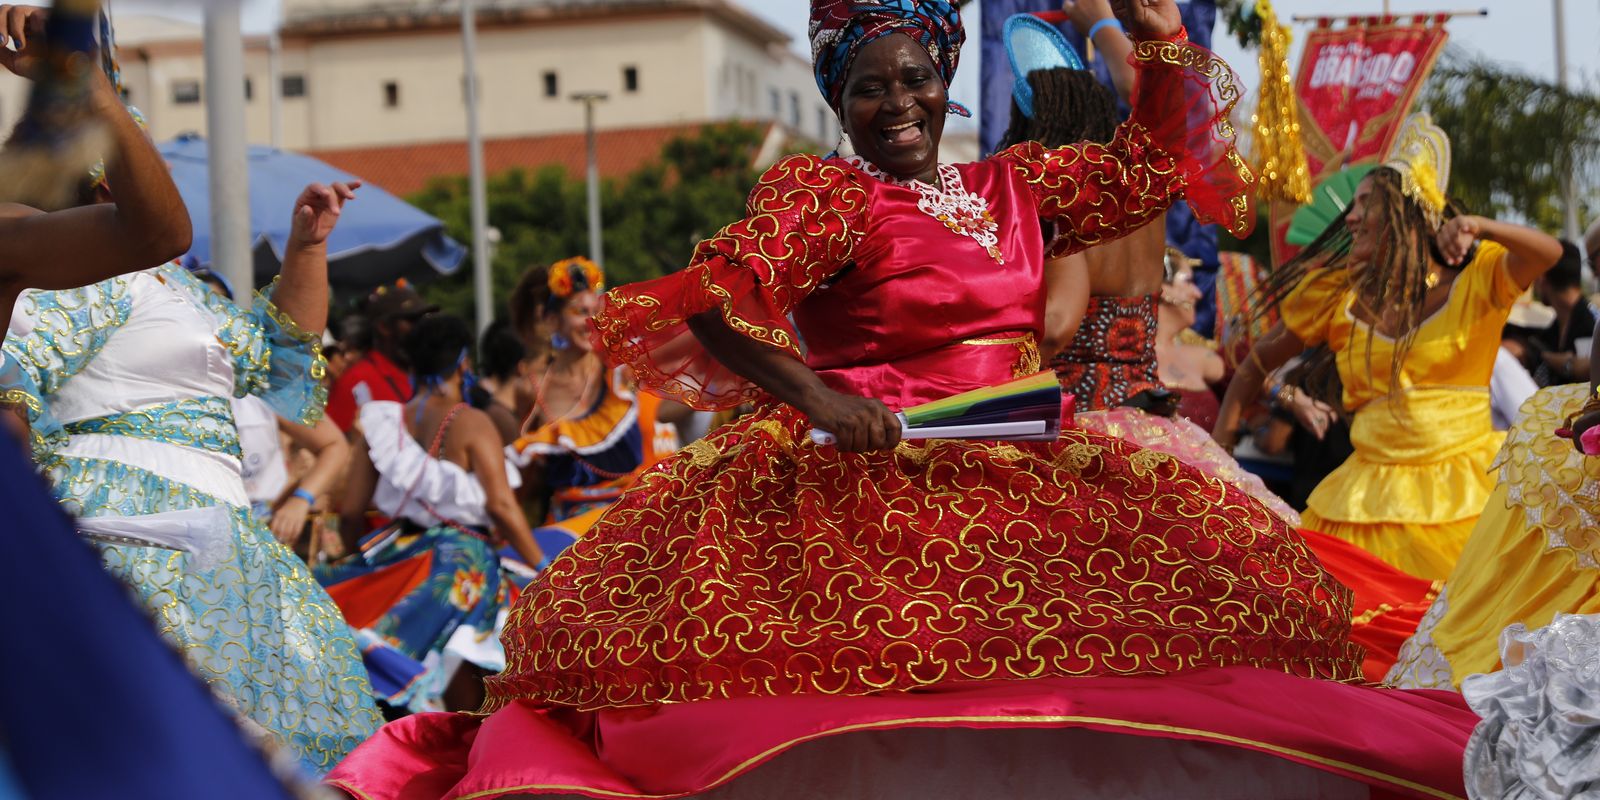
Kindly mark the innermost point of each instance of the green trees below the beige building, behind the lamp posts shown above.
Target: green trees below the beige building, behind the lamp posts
(652, 218)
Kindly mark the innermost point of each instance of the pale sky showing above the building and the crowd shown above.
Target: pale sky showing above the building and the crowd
(1518, 33)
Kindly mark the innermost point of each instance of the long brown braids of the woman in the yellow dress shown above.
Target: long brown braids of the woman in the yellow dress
(1390, 290)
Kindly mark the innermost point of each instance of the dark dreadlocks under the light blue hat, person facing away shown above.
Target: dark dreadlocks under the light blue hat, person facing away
(1073, 106)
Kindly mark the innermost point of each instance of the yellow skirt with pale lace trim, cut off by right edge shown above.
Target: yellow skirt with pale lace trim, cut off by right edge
(1534, 554)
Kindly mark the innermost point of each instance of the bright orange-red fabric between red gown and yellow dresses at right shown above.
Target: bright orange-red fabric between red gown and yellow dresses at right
(1388, 606)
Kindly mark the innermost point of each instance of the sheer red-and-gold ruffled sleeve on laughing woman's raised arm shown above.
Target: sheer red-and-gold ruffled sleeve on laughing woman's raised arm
(1178, 143)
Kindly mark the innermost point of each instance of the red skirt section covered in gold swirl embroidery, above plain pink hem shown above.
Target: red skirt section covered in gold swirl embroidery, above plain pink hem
(849, 574)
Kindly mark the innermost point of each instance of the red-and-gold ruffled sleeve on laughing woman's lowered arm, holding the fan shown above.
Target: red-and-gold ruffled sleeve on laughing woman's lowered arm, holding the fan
(802, 225)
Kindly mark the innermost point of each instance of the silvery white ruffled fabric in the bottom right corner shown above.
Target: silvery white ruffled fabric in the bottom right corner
(1540, 738)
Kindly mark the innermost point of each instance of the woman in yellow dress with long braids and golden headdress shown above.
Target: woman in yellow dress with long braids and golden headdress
(1410, 300)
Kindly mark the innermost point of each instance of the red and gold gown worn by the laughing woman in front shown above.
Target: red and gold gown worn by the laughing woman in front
(758, 593)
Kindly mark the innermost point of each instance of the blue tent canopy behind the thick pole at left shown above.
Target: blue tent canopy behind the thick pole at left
(378, 241)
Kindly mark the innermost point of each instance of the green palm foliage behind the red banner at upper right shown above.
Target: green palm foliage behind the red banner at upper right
(1514, 138)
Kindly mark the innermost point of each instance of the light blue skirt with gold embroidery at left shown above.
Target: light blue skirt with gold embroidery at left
(257, 626)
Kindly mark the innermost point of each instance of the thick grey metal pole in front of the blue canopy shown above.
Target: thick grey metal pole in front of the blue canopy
(226, 156)
